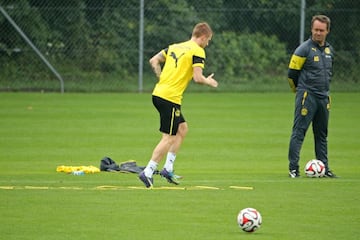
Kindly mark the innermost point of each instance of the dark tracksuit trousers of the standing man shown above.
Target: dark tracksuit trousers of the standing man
(309, 108)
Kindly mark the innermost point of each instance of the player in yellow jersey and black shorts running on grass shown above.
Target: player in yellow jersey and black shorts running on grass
(181, 62)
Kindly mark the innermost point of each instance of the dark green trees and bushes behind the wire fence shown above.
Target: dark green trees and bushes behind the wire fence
(96, 39)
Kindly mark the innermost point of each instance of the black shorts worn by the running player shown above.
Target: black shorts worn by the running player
(170, 115)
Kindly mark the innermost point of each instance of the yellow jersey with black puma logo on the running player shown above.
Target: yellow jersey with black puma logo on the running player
(177, 71)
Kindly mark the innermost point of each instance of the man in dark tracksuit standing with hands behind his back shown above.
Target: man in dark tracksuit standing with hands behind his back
(309, 75)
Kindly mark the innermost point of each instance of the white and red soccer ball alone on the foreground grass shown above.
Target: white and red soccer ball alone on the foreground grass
(249, 219)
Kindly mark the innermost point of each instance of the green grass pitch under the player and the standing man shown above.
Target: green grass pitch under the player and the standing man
(234, 140)
